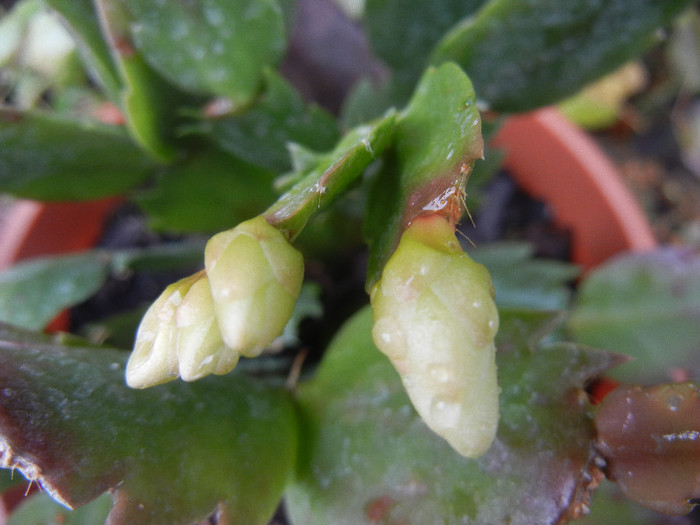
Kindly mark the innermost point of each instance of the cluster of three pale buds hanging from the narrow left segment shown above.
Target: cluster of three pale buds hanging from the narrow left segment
(235, 307)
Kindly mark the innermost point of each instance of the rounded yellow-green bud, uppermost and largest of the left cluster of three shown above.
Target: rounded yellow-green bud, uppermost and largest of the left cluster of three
(255, 277)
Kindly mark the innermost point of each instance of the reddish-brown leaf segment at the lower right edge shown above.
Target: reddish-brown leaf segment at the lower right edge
(650, 437)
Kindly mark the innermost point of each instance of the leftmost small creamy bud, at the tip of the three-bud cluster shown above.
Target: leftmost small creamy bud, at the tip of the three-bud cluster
(154, 358)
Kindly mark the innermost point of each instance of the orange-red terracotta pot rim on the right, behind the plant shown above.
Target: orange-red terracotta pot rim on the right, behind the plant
(555, 162)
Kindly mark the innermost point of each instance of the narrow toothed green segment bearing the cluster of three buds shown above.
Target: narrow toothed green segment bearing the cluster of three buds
(329, 175)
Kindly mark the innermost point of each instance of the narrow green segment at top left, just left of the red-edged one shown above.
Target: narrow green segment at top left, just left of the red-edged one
(82, 19)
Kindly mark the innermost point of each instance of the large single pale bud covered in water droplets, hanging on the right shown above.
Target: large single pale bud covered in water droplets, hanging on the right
(436, 320)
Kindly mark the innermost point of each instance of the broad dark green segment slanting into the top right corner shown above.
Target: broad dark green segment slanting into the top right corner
(526, 54)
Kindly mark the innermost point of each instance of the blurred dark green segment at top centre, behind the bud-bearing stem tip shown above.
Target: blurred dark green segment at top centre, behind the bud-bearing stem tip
(404, 35)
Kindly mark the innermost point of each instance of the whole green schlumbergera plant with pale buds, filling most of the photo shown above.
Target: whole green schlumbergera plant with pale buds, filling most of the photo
(458, 395)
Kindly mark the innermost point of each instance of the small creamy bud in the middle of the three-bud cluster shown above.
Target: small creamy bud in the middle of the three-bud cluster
(200, 349)
